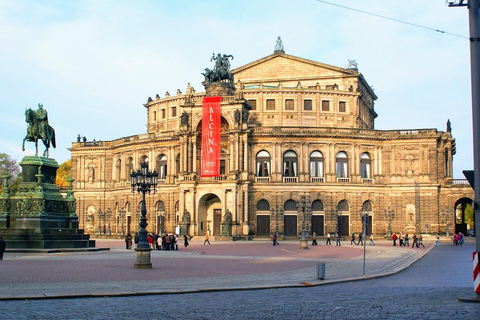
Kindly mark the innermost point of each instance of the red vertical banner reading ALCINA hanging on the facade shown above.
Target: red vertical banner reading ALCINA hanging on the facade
(211, 115)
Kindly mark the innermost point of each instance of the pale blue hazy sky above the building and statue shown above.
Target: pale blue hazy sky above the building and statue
(94, 63)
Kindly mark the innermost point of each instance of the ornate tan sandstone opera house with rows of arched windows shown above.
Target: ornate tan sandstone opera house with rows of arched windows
(292, 128)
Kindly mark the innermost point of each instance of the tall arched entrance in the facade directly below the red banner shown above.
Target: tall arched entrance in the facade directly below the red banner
(209, 215)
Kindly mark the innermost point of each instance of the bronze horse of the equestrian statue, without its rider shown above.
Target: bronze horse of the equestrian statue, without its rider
(34, 133)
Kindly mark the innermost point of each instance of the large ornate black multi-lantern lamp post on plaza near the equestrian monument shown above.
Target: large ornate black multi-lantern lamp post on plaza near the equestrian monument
(143, 181)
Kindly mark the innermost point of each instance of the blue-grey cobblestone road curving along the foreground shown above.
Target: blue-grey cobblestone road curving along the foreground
(427, 290)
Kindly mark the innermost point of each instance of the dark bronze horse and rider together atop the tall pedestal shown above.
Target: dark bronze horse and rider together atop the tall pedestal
(39, 129)
